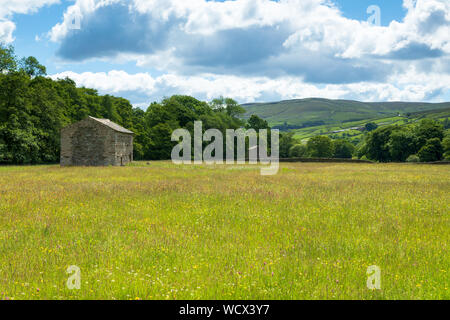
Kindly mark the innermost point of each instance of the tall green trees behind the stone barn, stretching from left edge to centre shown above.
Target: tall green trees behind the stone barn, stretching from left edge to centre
(34, 109)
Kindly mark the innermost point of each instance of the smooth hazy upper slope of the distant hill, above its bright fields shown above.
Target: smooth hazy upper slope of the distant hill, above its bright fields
(315, 112)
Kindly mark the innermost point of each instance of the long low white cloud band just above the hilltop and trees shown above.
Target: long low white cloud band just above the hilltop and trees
(411, 86)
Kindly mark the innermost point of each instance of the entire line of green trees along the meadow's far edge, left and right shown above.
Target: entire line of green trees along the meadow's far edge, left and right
(34, 109)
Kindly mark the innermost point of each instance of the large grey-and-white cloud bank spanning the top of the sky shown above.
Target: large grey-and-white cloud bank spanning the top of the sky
(312, 24)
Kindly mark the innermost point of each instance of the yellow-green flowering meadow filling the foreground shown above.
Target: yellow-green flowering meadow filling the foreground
(160, 231)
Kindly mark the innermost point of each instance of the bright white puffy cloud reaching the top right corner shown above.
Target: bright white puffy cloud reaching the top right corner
(427, 22)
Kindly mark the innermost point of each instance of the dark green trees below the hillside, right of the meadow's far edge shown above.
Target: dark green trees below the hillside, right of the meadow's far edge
(424, 141)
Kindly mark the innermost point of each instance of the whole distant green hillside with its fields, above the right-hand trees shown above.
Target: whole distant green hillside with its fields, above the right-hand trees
(343, 115)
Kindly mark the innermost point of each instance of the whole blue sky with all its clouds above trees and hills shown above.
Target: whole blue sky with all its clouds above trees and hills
(257, 50)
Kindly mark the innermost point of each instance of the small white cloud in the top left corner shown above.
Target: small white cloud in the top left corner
(8, 8)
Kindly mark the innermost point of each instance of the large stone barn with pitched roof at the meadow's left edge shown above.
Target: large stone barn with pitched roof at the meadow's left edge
(96, 142)
